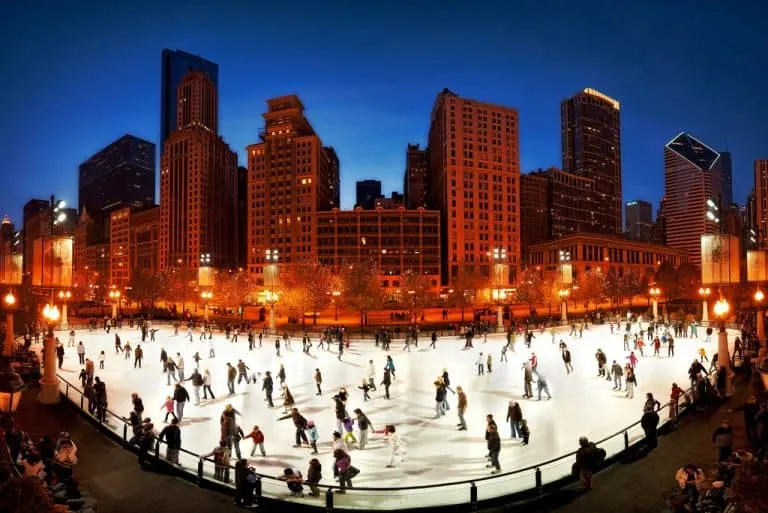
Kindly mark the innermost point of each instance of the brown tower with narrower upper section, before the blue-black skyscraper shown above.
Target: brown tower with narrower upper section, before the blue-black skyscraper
(198, 183)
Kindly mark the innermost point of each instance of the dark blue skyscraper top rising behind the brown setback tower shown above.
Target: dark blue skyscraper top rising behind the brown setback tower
(174, 66)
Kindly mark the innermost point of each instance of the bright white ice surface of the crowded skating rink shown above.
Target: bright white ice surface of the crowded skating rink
(582, 404)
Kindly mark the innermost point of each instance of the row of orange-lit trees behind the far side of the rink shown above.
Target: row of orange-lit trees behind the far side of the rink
(309, 287)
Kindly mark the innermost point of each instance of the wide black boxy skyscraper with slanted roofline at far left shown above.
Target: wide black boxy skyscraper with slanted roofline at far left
(121, 174)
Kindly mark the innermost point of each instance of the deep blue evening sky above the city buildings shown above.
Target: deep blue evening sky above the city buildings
(77, 77)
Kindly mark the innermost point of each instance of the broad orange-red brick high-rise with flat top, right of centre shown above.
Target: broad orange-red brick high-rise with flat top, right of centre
(474, 174)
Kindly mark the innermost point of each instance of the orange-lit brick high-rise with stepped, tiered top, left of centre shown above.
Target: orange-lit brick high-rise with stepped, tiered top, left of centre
(291, 177)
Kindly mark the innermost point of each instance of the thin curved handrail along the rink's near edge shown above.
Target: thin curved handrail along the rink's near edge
(537, 466)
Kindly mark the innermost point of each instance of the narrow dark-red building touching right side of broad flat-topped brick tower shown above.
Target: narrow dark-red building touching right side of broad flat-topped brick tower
(534, 210)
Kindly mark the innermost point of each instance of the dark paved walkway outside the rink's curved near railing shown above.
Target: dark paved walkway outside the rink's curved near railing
(113, 477)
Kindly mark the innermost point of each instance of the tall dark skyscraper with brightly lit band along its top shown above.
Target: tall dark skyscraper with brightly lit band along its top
(591, 147)
